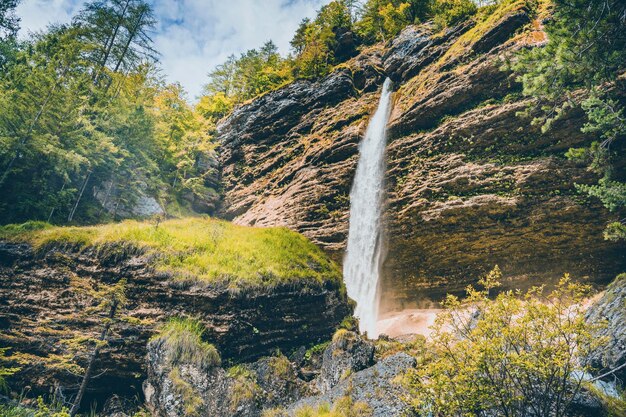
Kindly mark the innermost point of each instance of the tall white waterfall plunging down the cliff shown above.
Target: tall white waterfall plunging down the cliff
(364, 254)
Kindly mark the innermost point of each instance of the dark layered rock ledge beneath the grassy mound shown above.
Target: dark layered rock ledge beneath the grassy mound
(49, 312)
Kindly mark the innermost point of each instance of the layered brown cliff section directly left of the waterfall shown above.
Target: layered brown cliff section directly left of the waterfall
(288, 157)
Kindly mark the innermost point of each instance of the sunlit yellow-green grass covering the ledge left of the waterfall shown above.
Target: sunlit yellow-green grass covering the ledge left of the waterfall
(200, 248)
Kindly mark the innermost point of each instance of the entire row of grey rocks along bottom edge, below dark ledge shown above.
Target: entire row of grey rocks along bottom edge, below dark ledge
(274, 385)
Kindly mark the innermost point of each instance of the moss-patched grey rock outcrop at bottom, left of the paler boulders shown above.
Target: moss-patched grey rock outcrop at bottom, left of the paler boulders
(243, 391)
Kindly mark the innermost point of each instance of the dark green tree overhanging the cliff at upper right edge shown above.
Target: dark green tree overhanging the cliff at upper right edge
(587, 40)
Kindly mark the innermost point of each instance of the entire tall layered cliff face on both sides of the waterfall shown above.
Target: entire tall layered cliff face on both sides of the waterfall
(471, 182)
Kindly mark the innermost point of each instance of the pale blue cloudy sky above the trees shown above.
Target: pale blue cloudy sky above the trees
(193, 36)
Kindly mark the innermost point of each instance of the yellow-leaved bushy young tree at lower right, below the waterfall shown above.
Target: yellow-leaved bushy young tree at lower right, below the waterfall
(517, 354)
